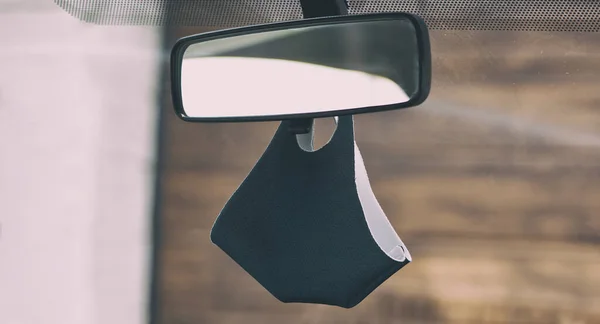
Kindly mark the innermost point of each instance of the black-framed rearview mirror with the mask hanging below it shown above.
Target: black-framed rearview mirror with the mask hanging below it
(302, 69)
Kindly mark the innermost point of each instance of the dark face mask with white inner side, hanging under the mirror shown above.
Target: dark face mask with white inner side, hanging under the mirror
(307, 226)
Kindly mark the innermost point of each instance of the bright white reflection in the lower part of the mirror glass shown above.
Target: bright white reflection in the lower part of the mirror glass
(280, 80)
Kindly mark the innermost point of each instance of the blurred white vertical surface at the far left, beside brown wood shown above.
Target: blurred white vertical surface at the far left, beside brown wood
(77, 116)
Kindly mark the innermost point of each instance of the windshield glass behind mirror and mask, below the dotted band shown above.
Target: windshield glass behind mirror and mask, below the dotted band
(107, 198)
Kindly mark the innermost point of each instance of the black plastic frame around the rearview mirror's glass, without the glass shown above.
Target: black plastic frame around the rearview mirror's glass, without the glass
(422, 42)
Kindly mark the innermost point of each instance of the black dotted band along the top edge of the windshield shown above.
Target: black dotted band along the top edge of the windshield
(509, 15)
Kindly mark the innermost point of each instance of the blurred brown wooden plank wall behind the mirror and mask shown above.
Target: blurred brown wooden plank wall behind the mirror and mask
(493, 184)
